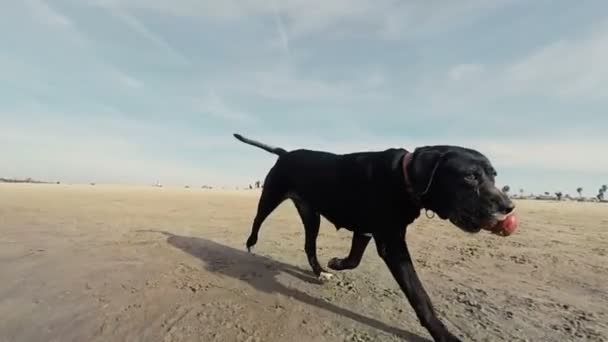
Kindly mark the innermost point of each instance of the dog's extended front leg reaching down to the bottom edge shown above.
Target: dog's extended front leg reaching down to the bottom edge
(393, 250)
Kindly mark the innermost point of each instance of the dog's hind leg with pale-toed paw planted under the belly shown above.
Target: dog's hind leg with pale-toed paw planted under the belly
(311, 221)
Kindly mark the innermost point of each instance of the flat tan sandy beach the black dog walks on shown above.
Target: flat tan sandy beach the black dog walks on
(102, 263)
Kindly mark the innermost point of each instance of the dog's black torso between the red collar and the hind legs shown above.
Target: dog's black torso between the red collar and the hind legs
(347, 189)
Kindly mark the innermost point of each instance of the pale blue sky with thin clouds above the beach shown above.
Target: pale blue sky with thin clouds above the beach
(135, 91)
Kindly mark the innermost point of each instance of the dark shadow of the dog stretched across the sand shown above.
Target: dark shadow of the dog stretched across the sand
(261, 273)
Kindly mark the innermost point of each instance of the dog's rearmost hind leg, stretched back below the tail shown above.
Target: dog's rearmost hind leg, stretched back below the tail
(272, 196)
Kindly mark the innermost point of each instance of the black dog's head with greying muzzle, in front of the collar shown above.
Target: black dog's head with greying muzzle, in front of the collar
(458, 184)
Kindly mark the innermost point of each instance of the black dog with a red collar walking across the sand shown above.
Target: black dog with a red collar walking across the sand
(379, 194)
